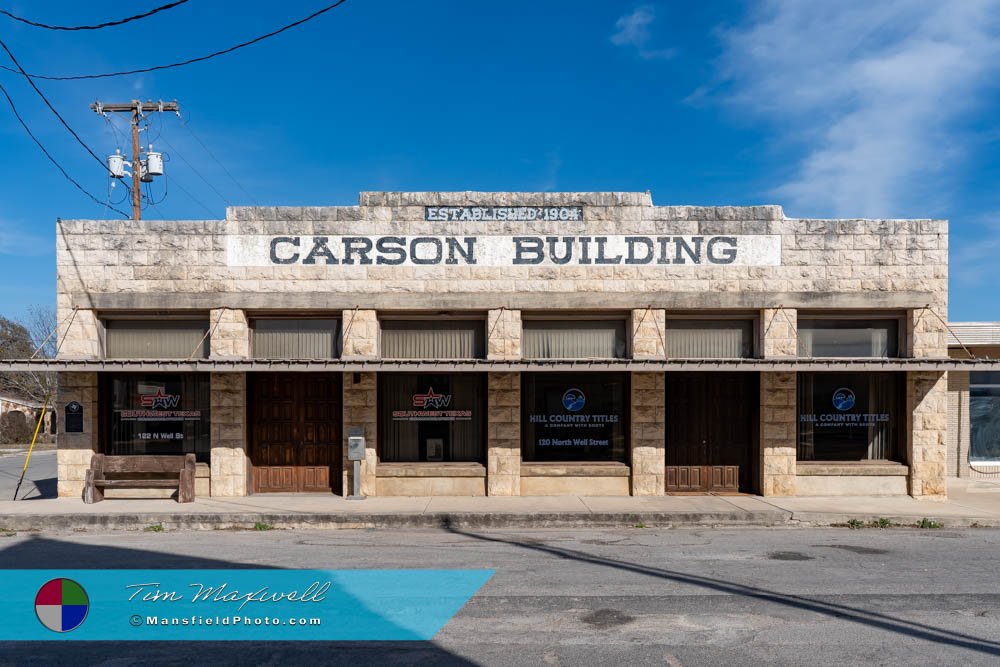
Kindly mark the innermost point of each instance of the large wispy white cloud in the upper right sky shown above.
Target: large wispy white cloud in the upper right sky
(875, 92)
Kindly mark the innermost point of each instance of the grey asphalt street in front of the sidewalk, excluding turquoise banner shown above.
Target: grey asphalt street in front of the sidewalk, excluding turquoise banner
(570, 597)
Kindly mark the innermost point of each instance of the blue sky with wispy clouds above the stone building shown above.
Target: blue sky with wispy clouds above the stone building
(846, 109)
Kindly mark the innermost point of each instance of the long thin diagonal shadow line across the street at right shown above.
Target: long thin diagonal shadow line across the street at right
(872, 619)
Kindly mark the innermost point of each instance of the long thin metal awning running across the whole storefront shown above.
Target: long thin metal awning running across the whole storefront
(481, 365)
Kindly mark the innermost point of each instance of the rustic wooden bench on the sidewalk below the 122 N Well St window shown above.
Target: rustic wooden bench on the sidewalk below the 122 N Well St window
(140, 472)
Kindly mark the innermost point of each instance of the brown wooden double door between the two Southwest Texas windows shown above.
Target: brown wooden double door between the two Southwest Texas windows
(295, 432)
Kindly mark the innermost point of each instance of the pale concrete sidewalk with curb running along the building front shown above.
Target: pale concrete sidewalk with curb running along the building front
(971, 503)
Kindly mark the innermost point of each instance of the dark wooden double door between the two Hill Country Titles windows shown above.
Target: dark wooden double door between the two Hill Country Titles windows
(711, 431)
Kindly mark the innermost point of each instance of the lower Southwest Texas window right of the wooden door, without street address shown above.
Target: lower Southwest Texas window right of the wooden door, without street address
(432, 417)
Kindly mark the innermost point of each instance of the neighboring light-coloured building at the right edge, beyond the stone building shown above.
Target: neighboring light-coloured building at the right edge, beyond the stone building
(974, 402)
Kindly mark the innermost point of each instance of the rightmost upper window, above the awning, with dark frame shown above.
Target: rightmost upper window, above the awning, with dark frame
(848, 338)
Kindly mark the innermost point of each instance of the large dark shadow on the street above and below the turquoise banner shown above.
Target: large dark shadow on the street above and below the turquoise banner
(46, 553)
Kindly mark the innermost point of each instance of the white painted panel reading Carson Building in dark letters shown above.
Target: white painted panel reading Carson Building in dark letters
(526, 250)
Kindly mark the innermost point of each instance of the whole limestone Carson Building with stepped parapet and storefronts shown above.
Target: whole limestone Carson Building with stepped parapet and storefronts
(511, 344)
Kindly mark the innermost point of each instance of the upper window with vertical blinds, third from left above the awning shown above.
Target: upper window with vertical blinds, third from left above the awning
(444, 339)
